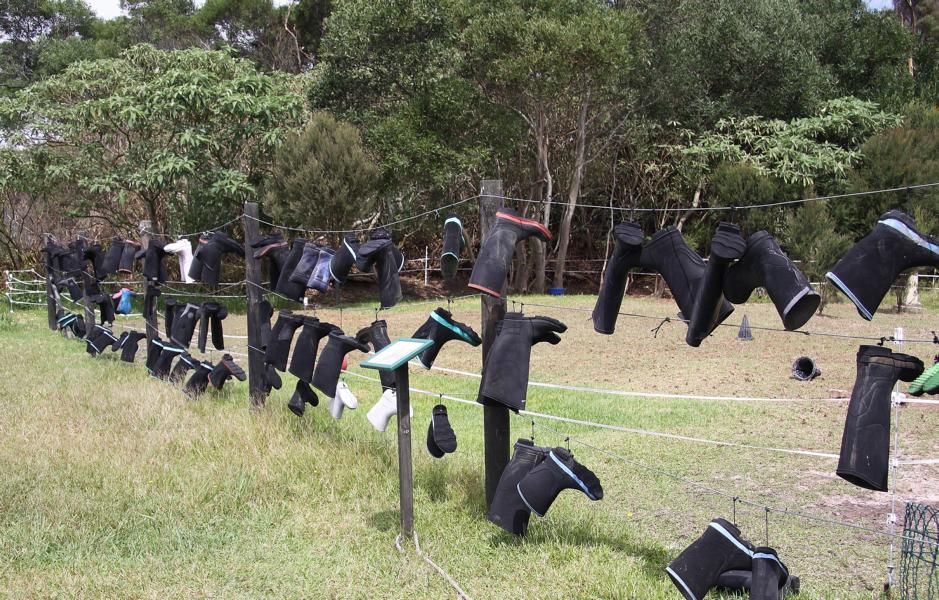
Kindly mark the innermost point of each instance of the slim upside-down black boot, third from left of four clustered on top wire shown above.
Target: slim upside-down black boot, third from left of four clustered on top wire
(726, 246)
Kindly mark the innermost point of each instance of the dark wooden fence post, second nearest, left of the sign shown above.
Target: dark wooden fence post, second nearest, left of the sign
(256, 392)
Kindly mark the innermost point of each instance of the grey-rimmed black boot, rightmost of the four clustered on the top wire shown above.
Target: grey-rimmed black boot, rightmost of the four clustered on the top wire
(764, 264)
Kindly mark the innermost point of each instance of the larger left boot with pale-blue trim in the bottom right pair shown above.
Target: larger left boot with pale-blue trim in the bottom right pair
(720, 548)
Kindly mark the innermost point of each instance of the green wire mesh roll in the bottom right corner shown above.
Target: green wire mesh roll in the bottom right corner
(918, 577)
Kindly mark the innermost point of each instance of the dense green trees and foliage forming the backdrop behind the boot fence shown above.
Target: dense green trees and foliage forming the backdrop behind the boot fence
(625, 104)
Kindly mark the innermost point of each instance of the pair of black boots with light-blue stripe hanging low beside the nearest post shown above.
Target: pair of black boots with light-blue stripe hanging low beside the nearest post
(531, 482)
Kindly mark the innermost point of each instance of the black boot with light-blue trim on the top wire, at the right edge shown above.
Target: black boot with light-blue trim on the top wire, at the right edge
(867, 271)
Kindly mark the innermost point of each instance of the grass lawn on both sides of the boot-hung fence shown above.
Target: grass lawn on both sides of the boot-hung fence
(116, 485)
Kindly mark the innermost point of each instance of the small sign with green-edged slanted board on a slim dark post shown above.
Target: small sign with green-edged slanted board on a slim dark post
(394, 357)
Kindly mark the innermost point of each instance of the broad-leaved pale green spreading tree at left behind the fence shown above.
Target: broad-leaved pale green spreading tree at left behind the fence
(184, 136)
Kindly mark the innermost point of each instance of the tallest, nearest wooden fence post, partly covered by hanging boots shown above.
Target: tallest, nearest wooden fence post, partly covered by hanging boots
(496, 428)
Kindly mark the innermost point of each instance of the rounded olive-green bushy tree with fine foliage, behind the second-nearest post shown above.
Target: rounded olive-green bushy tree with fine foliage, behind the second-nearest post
(322, 177)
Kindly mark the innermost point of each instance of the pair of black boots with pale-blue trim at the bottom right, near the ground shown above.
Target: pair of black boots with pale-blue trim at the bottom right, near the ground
(717, 558)
